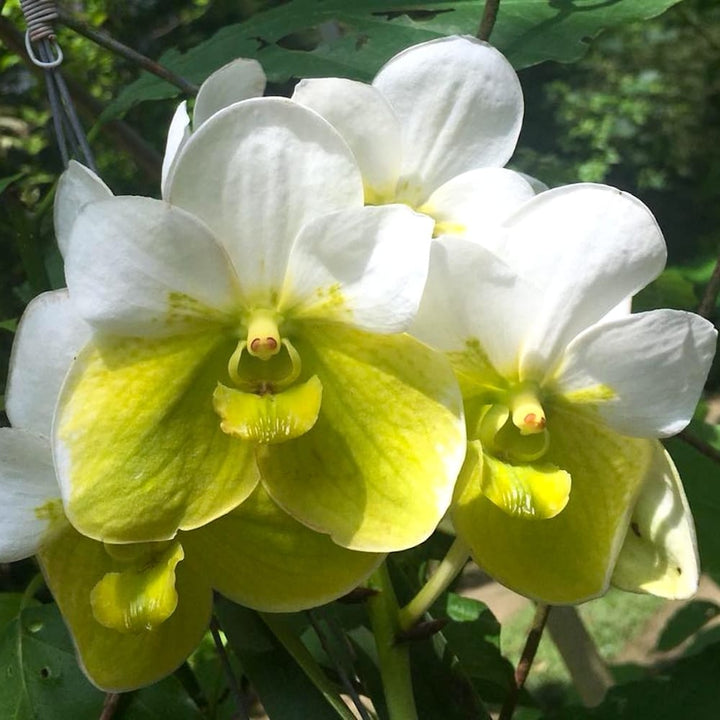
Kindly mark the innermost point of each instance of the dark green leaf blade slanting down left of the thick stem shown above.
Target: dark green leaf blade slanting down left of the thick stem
(283, 687)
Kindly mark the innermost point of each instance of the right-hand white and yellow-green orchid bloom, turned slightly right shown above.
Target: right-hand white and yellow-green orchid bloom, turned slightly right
(559, 399)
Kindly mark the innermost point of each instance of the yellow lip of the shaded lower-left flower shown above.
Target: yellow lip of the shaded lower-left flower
(140, 594)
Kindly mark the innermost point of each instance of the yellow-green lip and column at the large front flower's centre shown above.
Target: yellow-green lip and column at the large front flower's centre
(267, 403)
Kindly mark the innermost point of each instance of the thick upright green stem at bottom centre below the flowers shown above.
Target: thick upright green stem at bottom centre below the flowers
(394, 659)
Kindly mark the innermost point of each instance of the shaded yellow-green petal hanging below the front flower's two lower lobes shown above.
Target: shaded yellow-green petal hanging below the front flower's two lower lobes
(260, 557)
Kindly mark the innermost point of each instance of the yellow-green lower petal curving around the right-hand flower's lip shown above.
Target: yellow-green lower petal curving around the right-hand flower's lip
(568, 558)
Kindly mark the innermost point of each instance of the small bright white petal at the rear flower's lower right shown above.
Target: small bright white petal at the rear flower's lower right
(474, 204)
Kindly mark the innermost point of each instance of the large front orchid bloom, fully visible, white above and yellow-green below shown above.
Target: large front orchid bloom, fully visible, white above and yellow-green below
(249, 328)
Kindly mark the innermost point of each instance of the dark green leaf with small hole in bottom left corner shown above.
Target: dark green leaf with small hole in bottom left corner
(41, 679)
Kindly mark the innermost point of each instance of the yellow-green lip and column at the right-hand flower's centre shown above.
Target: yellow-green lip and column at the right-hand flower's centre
(508, 428)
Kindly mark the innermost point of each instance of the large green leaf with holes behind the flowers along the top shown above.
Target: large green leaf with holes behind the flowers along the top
(316, 38)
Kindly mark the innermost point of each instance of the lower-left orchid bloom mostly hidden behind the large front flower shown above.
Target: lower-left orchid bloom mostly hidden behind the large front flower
(136, 611)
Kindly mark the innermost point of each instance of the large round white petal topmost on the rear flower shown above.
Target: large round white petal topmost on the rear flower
(460, 106)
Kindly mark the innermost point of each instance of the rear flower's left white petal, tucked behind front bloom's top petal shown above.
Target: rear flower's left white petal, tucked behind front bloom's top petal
(368, 125)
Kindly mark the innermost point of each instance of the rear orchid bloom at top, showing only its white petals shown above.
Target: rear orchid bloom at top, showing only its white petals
(433, 131)
